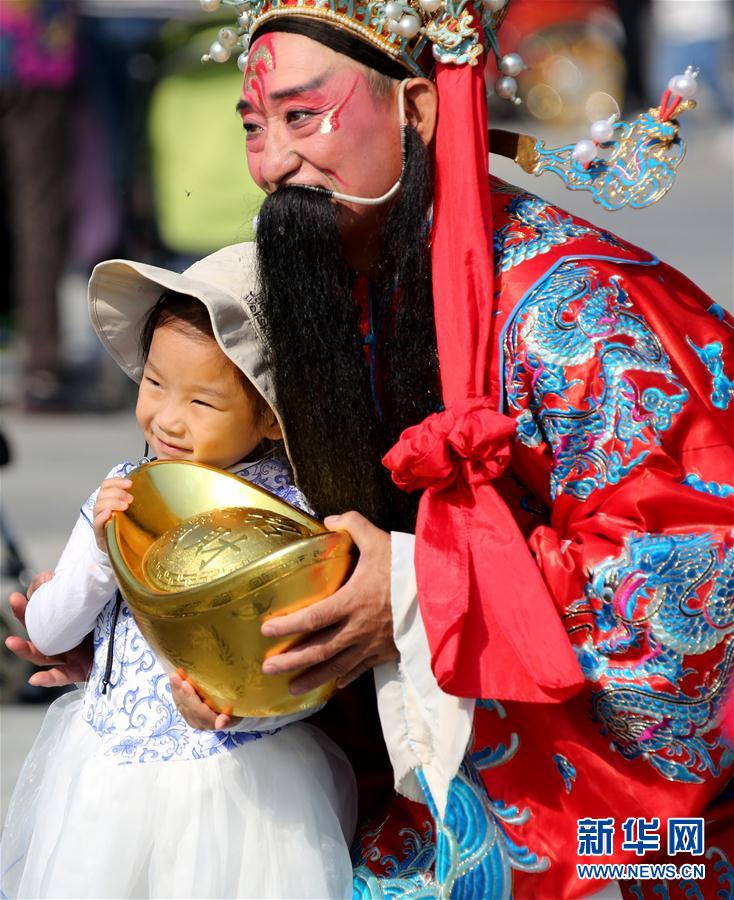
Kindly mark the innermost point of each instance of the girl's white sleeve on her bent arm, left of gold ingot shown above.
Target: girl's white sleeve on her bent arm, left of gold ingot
(63, 611)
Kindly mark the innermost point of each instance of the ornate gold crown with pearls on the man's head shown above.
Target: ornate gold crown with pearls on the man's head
(411, 32)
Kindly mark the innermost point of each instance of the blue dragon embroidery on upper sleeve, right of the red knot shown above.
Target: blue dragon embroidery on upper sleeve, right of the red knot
(573, 318)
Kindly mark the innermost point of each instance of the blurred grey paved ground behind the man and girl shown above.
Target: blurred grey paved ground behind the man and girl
(58, 461)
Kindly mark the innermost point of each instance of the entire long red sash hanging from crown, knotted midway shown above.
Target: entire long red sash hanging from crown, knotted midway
(491, 624)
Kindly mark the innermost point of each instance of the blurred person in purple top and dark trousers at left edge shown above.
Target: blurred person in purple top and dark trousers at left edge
(38, 60)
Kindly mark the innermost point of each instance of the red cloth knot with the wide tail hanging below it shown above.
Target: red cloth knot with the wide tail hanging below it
(492, 627)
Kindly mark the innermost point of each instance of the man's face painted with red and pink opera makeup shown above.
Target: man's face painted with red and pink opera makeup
(311, 118)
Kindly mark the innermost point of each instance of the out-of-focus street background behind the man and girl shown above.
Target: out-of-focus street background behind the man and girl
(115, 141)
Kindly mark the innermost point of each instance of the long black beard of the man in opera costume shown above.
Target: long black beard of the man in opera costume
(336, 434)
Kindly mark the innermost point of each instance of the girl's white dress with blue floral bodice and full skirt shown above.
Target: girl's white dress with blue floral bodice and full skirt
(119, 797)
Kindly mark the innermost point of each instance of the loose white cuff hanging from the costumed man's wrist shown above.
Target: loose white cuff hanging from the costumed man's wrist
(423, 726)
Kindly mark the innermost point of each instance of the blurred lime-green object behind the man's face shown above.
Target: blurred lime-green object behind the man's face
(204, 196)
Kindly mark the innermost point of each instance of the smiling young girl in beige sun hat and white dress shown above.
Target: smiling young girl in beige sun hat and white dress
(119, 796)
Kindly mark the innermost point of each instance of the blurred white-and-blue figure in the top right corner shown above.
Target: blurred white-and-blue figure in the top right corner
(695, 33)
